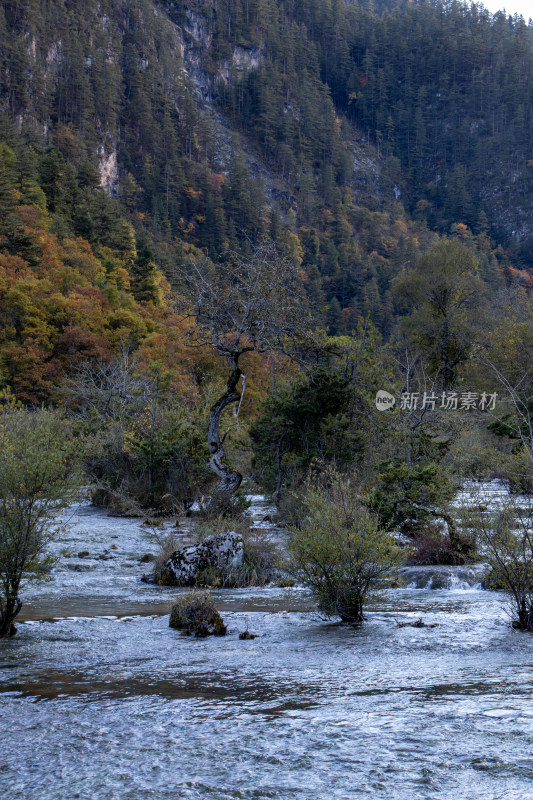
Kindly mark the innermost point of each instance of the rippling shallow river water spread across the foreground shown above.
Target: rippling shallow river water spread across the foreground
(102, 700)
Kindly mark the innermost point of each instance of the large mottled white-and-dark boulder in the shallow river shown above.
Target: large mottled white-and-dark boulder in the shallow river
(223, 551)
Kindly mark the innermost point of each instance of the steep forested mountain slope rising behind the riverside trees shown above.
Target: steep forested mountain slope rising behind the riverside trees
(139, 133)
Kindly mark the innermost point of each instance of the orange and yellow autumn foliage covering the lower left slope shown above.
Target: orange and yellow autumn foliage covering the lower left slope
(52, 313)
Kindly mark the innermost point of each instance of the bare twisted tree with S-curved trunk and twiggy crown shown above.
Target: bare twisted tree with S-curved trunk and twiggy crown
(246, 304)
